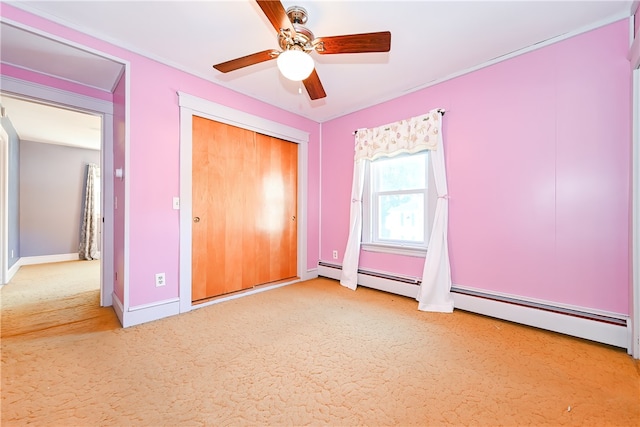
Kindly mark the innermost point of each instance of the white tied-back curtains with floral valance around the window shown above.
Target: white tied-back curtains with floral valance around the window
(406, 136)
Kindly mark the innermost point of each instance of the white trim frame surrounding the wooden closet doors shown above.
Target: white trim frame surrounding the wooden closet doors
(192, 106)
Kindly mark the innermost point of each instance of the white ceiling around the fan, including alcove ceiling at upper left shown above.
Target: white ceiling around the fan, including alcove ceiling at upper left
(430, 42)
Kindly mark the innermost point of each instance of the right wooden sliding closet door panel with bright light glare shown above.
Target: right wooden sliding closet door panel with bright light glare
(277, 203)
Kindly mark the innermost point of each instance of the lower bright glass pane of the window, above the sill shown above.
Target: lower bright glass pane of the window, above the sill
(401, 217)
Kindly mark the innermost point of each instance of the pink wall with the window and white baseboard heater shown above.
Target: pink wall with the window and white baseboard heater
(537, 152)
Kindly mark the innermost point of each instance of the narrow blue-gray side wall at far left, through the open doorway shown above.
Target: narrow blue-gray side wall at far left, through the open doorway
(13, 196)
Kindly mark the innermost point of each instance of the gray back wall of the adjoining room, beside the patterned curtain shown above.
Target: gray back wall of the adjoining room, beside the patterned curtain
(51, 197)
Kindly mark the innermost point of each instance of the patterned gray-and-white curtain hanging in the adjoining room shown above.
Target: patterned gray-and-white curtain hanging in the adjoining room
(89, 234)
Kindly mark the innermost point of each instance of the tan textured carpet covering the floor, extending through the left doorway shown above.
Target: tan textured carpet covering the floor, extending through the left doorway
(312, 353)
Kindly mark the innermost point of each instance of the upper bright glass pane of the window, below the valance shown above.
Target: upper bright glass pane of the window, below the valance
(405, 172)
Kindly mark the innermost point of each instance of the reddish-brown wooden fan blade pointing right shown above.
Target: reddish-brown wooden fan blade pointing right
(354, 43)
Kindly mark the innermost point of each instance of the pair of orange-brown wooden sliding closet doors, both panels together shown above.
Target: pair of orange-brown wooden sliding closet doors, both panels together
(244, 205)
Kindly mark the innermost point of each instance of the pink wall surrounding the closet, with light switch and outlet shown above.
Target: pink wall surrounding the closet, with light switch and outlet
(153, 172)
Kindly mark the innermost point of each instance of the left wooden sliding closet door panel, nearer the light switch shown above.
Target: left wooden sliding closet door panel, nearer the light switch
(224, 194)
